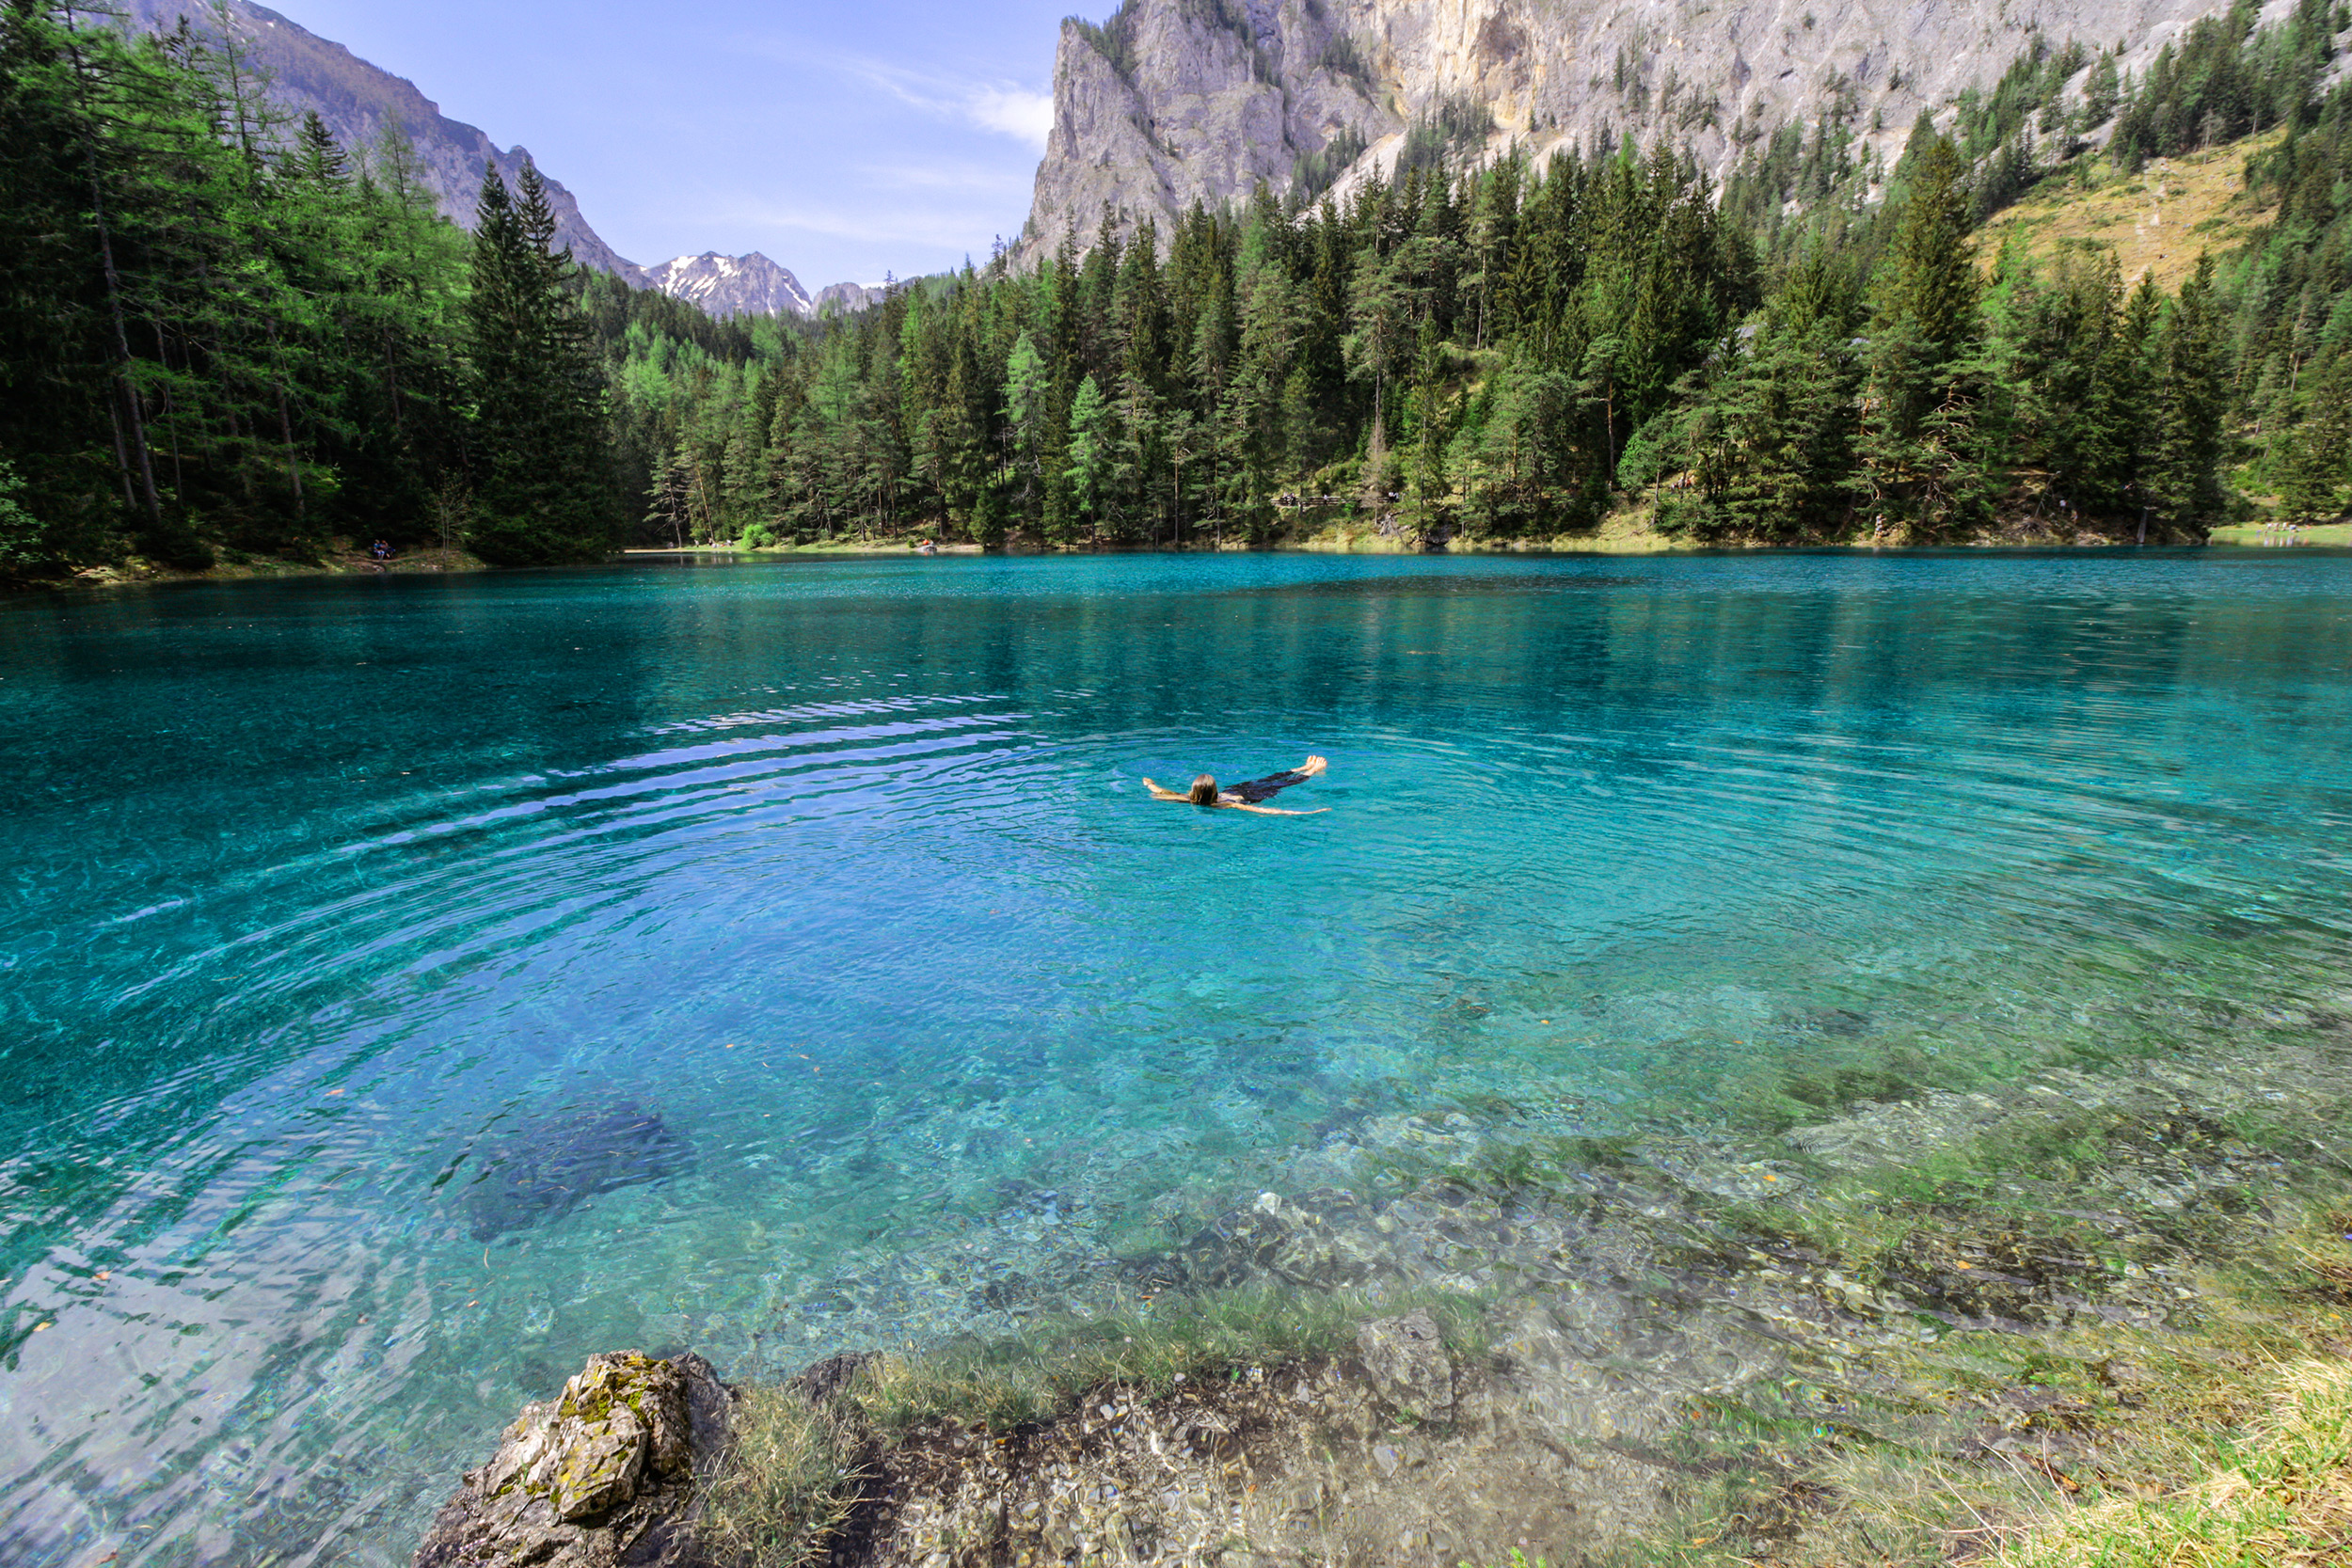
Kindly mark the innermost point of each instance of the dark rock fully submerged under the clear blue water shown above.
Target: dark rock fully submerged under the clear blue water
(547, 1170)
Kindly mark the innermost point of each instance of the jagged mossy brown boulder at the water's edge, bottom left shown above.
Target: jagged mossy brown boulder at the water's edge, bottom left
(599, 1477)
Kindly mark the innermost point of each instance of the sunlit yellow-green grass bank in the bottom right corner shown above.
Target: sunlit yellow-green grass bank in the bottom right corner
(2217, 1442)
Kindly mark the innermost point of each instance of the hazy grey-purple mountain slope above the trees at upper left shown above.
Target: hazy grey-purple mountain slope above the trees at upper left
(359, 102)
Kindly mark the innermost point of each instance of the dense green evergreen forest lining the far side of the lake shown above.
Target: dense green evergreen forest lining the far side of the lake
(229, 335)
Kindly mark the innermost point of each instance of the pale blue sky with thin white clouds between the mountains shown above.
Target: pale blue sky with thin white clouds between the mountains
(843, 140)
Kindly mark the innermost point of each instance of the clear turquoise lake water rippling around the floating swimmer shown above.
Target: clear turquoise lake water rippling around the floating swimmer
(314, 892)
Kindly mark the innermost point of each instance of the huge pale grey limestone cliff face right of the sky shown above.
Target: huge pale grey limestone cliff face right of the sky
(1201, 100)
